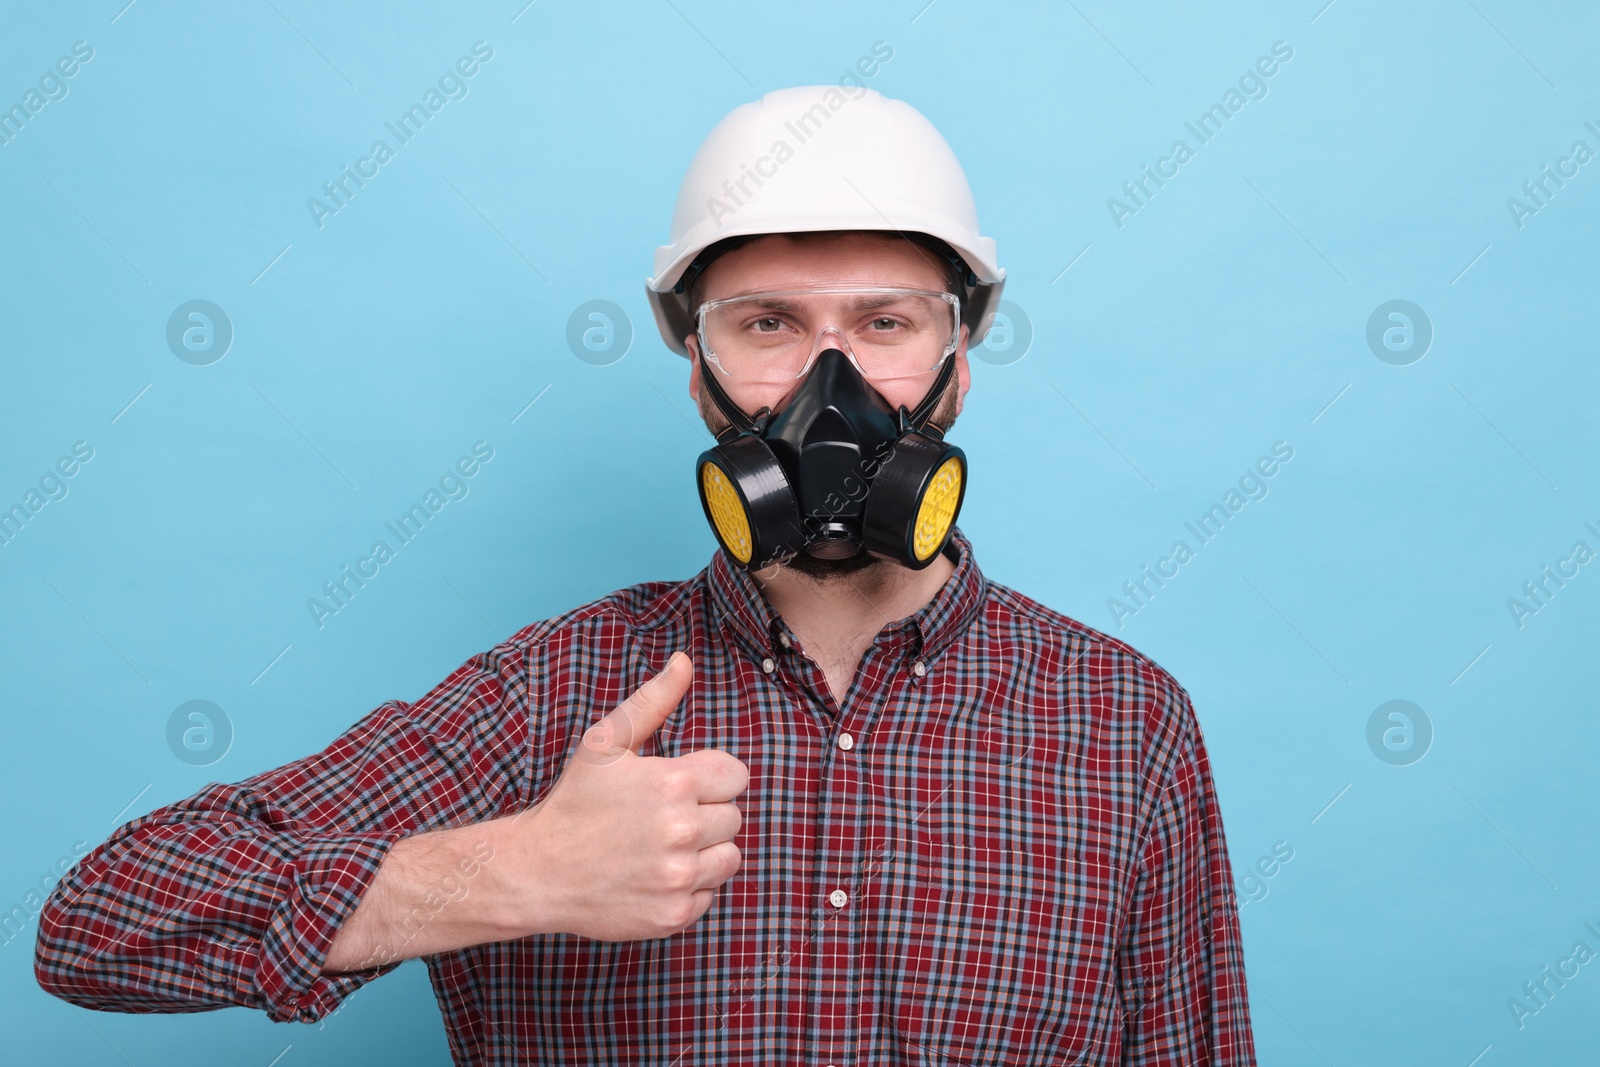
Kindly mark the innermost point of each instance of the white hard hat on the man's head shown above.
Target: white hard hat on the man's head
(823, 158)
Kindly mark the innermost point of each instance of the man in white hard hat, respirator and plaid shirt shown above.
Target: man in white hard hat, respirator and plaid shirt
(970, 829)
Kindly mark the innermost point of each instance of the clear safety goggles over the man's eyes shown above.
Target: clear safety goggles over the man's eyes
(775, 337)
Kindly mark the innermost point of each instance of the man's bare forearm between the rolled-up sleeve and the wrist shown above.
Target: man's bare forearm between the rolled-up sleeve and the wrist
(436, 892)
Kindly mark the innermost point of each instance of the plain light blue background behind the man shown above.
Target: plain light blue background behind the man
(1226, 316)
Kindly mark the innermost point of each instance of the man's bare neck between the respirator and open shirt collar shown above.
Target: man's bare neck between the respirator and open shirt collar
(838, 617)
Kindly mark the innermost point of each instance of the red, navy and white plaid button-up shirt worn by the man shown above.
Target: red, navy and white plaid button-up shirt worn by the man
(1002, 847)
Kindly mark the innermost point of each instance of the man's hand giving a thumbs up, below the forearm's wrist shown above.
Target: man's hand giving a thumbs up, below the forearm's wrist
(628, 847)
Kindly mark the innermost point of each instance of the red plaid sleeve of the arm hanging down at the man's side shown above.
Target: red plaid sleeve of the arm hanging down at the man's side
(1182, 959)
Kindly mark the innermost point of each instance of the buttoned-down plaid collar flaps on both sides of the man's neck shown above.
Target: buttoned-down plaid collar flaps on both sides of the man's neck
(740, 605)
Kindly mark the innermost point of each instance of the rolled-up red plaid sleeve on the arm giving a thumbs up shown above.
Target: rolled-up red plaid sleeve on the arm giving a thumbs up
(233, 897)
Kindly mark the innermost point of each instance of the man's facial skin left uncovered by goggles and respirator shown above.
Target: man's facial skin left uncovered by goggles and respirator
(780, 263)
